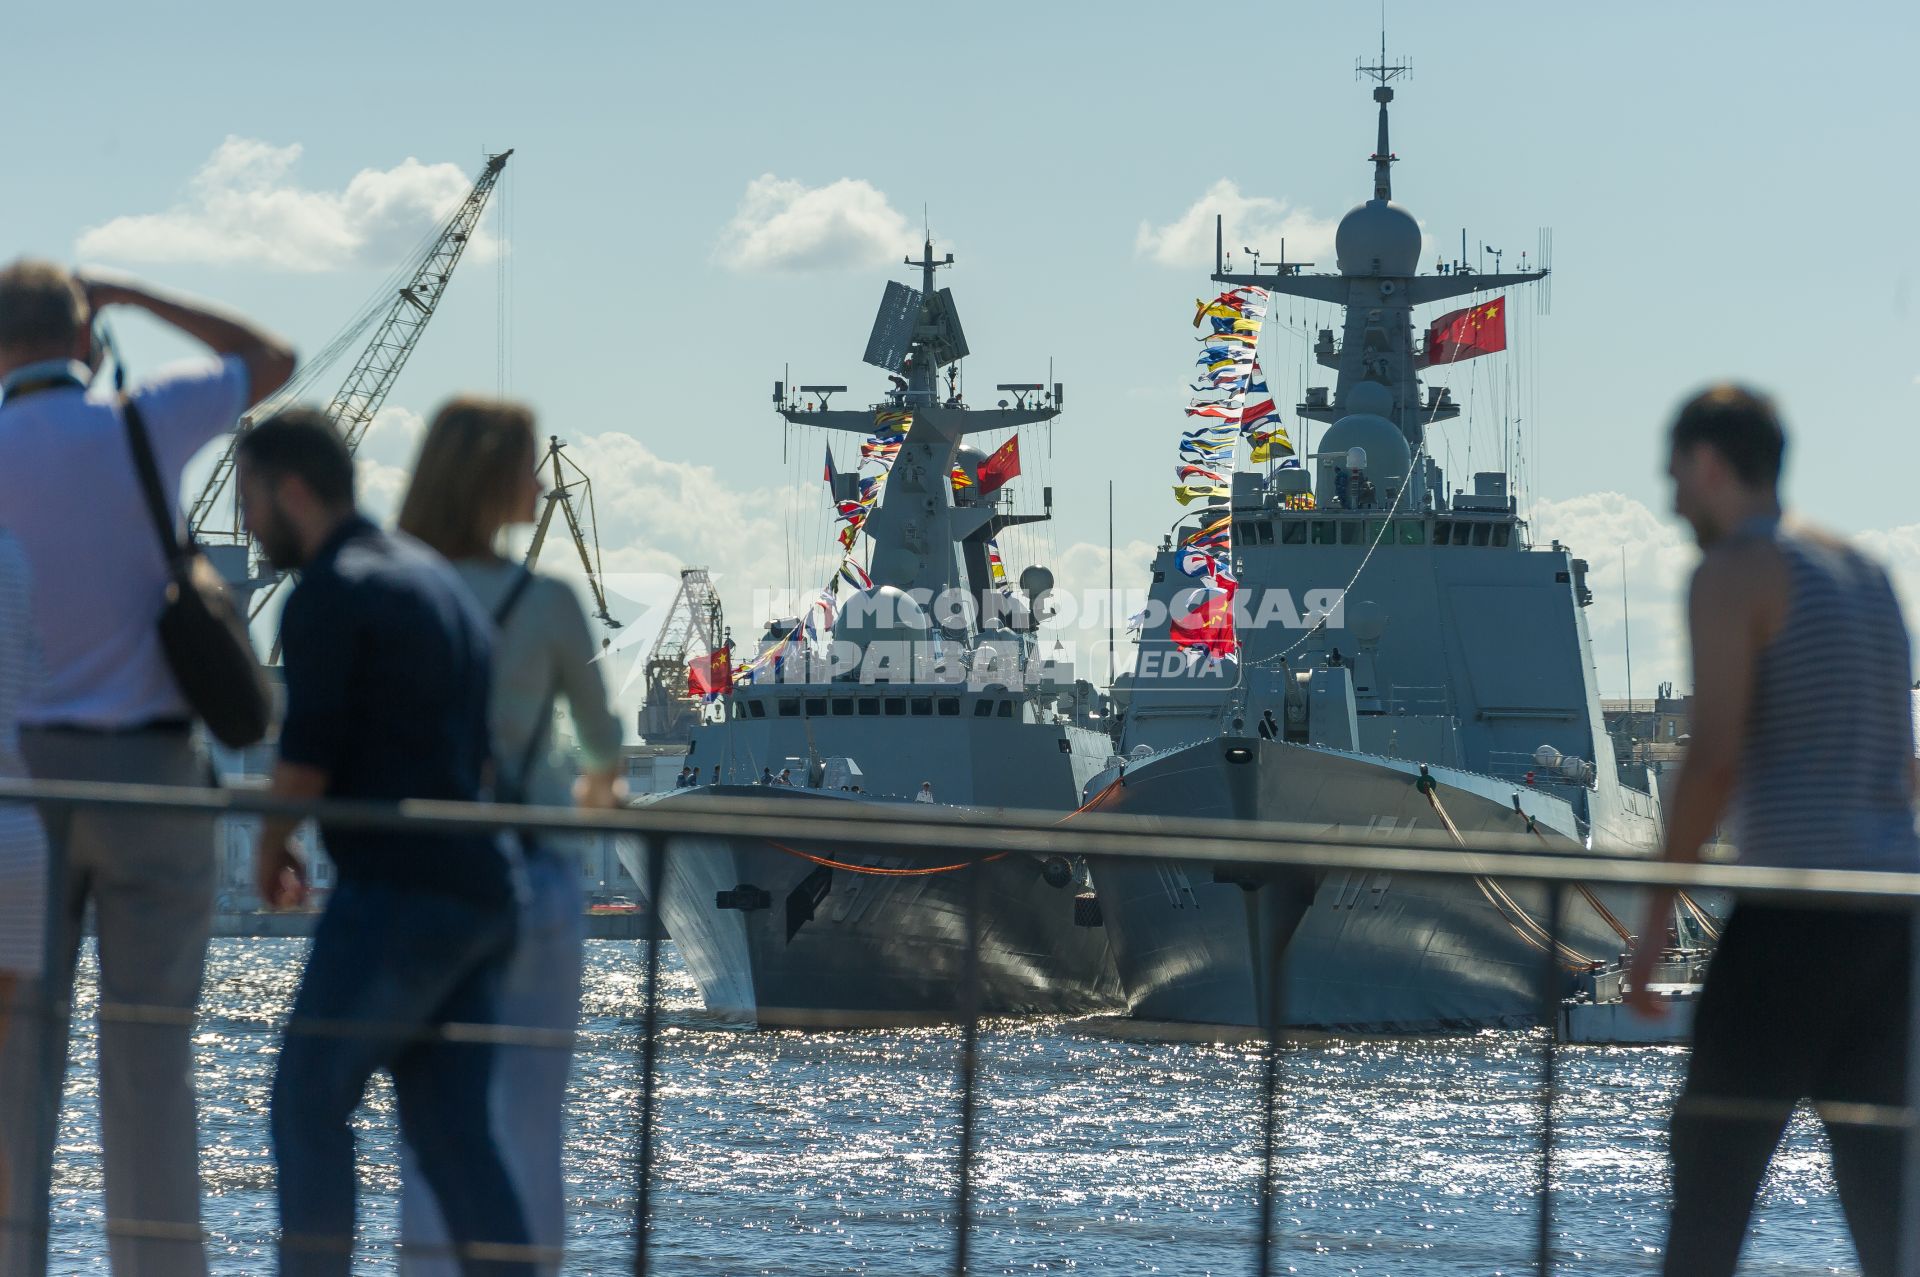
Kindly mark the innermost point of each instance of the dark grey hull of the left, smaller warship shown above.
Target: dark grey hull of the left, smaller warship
(836, 948)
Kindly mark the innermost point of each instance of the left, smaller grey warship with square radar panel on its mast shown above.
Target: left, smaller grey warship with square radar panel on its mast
(934, 677)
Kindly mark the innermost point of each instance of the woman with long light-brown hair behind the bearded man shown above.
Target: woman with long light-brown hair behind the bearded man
(473, 479)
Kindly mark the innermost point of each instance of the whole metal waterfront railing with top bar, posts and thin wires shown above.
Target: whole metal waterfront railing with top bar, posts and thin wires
(1280, 857)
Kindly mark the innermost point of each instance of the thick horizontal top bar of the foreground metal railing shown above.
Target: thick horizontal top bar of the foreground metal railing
(1103, 834)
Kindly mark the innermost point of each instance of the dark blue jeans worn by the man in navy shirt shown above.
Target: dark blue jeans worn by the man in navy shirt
(387, 965)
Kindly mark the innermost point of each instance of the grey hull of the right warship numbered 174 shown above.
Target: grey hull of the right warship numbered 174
(1362, 952)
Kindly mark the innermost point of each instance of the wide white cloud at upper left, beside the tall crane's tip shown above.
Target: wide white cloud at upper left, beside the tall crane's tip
(247, 208)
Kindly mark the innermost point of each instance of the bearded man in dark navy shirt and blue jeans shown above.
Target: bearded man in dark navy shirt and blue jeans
(387, 698)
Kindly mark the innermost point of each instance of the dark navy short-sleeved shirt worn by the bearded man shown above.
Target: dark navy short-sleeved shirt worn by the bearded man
(389, 665)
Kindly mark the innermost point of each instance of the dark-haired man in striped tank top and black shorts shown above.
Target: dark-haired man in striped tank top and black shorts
(1804, 742)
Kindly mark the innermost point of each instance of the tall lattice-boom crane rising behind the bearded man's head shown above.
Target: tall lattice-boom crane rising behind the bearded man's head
(354, 406)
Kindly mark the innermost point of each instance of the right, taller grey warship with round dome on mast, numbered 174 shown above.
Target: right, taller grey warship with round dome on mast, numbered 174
(1445, 681)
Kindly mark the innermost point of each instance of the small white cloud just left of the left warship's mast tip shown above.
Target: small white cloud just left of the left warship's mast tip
(786, 226)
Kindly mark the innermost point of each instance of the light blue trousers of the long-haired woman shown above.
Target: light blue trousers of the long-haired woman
(542, 992)
